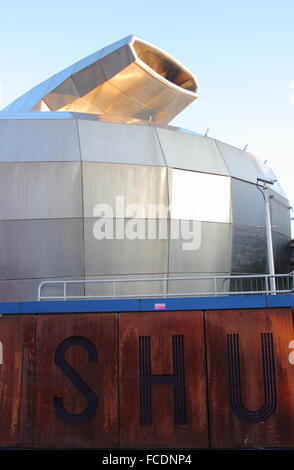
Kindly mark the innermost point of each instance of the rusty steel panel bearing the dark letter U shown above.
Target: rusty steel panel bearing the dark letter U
(251, 380)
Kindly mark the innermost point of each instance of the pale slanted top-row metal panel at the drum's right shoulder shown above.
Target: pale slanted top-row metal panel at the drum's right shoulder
(242, 165)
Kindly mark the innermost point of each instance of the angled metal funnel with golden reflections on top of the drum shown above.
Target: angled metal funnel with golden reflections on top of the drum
(128, 79)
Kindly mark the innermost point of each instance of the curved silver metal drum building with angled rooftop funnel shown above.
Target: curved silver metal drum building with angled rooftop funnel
(98, 130)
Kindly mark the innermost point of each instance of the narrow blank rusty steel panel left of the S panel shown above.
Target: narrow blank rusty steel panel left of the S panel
(17, 352)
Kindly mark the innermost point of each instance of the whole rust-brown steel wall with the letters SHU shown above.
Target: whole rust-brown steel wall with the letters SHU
(191, 379)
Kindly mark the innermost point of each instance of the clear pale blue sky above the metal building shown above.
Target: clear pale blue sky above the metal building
(241, 51)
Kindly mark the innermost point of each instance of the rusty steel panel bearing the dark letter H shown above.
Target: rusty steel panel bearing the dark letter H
(162, 380)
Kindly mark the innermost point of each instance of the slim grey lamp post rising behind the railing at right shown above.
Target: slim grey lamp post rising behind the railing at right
(268, 230)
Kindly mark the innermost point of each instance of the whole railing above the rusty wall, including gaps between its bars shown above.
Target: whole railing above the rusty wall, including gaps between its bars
(157, 287)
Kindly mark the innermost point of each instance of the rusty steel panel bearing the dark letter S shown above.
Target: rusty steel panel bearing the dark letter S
(76, 381)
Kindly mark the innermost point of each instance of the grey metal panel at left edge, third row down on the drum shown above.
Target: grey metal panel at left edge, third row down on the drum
(41, 248)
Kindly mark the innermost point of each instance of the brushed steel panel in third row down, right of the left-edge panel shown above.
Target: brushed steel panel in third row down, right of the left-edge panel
(105, 257)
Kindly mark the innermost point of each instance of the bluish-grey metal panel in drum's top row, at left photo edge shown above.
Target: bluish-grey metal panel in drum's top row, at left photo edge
(32, 140)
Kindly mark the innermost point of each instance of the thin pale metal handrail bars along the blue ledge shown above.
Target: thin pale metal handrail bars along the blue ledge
(214, 292)
